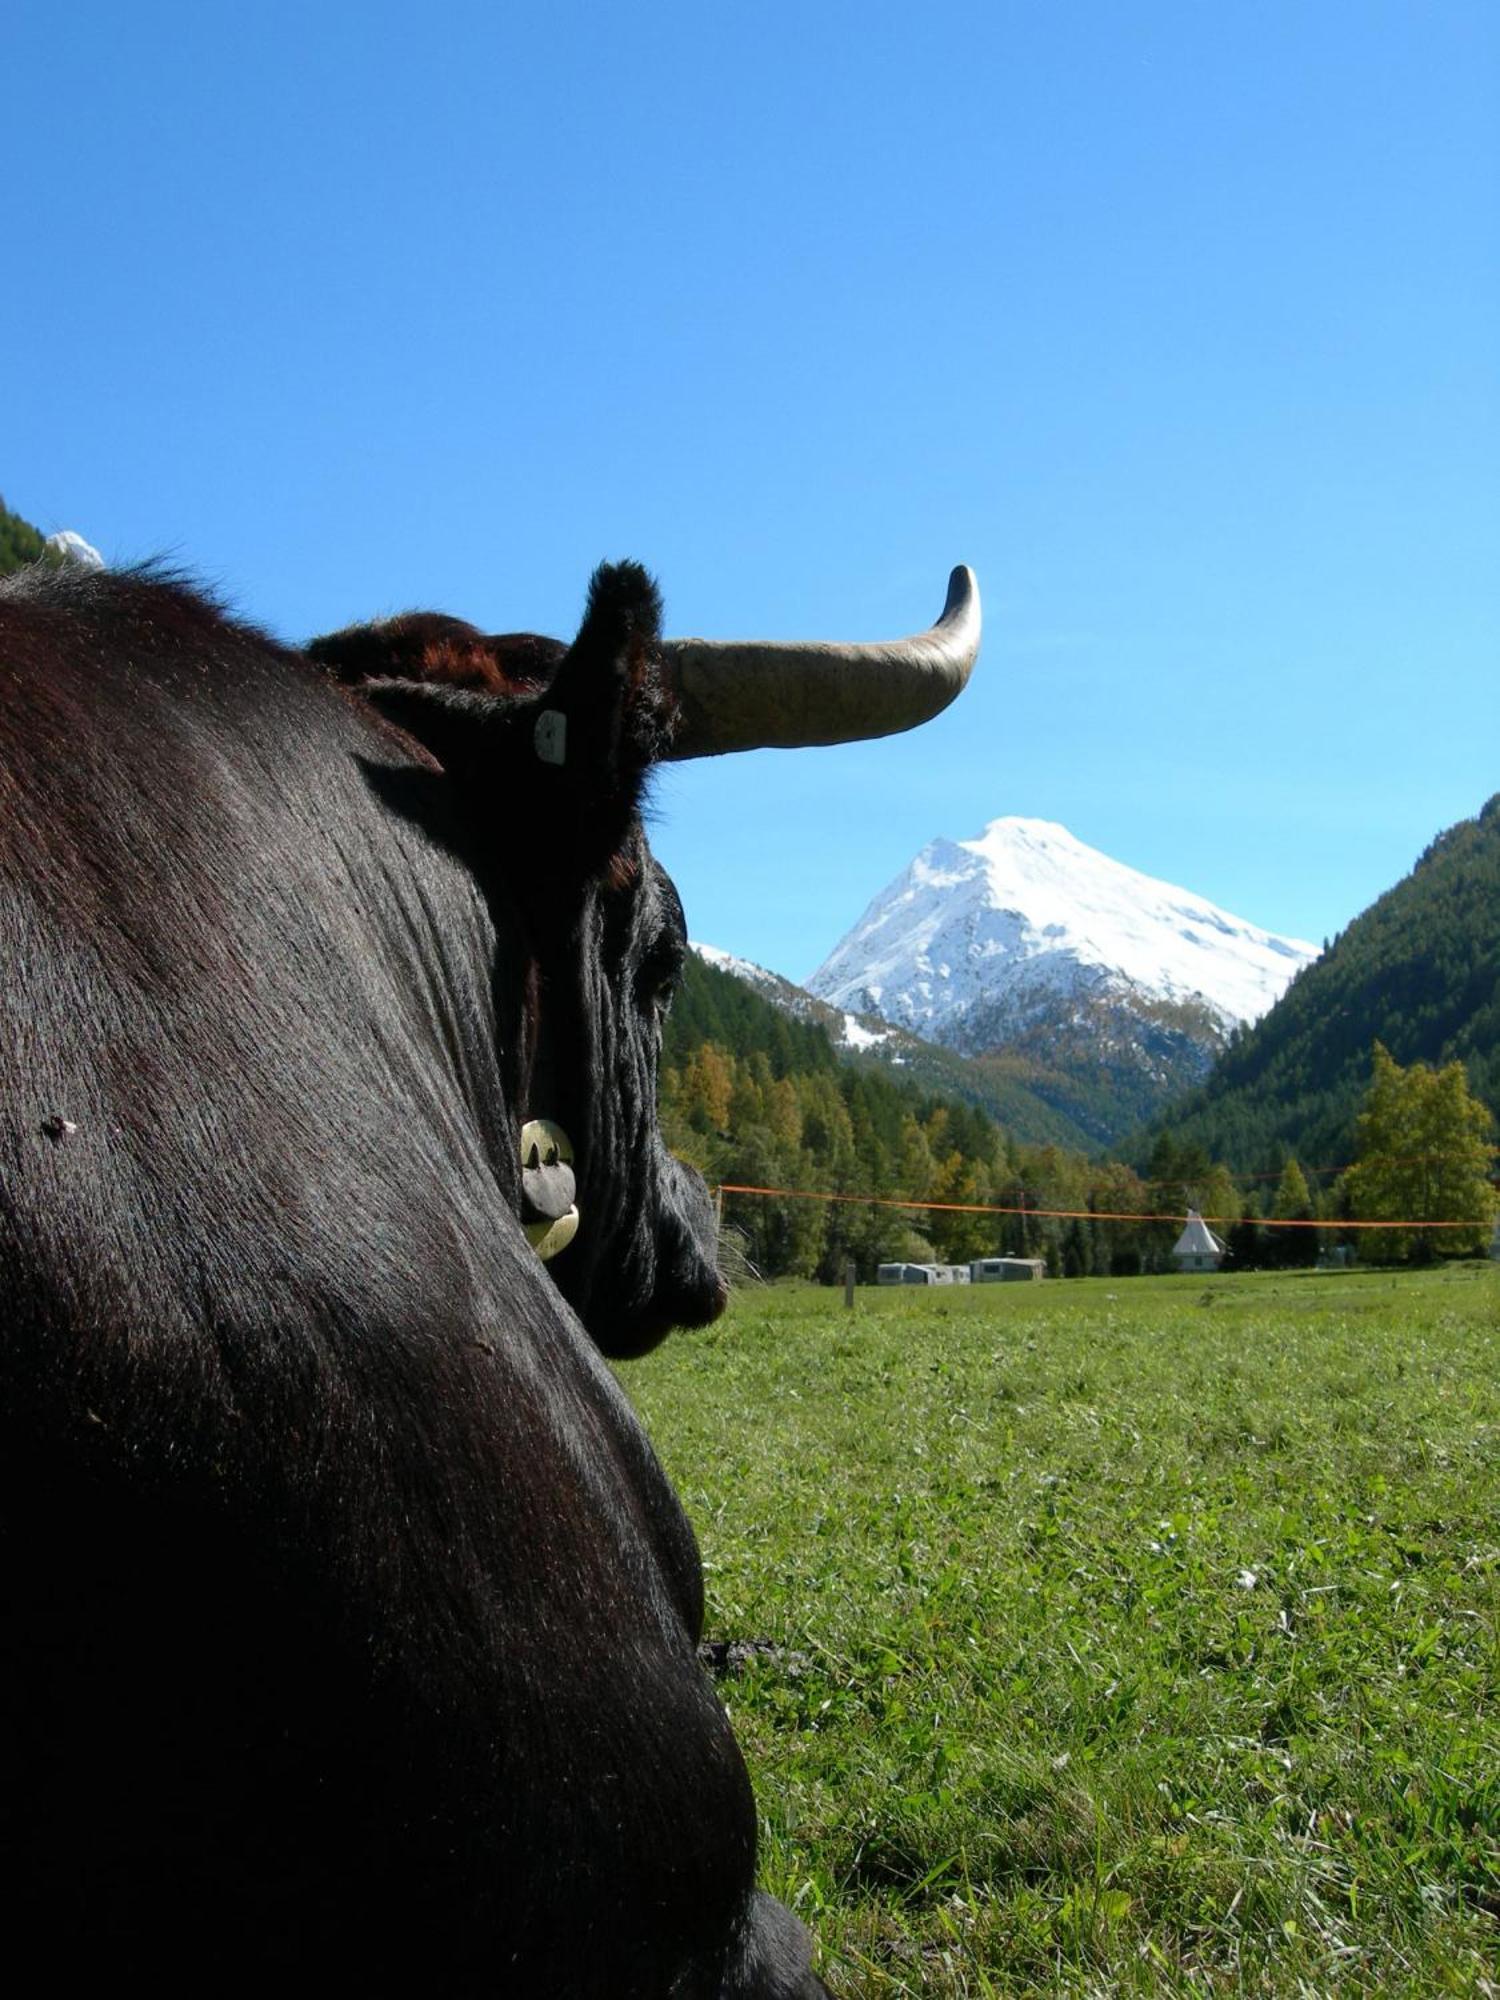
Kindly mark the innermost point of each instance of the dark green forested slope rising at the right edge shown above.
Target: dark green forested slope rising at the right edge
(1419, 971)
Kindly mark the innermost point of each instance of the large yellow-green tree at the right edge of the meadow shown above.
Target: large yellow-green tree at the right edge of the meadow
(1423, 1155)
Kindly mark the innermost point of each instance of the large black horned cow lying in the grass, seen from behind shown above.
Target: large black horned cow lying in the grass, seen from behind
(349, 1619)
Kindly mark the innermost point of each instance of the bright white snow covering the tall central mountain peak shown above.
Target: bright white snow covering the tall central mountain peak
(979, 935)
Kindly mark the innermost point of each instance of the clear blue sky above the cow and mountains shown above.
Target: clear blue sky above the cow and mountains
(1181, 323)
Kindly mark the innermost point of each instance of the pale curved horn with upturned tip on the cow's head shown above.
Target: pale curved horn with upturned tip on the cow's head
(755, 695)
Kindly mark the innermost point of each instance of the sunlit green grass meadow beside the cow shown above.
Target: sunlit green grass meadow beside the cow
(1125, 1637)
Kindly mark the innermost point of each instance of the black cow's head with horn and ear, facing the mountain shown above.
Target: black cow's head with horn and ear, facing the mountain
(551, 751)
